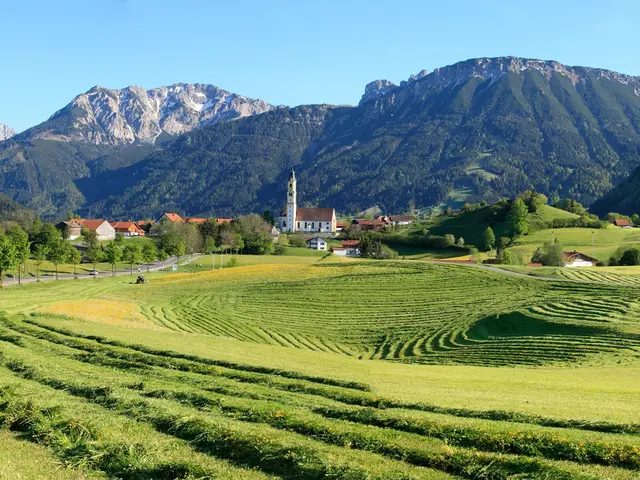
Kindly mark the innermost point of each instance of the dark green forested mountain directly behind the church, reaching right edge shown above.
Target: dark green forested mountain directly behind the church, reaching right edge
(483, 128)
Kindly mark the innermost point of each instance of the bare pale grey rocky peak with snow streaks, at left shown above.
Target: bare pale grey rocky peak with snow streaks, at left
(135, 115)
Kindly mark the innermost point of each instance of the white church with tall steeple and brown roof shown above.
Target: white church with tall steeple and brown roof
(294, 219)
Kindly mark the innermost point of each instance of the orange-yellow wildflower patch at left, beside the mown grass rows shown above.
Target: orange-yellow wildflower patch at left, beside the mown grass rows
(111, 312)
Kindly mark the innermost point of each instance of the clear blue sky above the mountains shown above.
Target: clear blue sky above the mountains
(286, 52)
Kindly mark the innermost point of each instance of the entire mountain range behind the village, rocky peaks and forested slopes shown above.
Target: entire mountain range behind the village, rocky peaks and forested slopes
(478, 129)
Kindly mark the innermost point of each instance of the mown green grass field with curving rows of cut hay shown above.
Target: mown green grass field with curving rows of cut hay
(352, 370)
